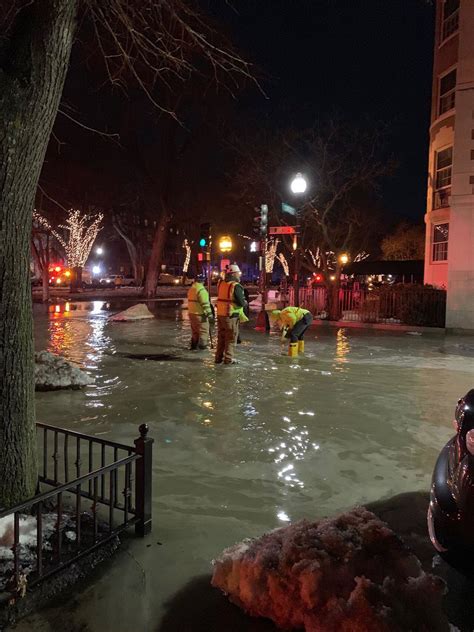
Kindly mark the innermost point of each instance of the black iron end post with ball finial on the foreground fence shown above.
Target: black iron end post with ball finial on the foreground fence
(143, 481)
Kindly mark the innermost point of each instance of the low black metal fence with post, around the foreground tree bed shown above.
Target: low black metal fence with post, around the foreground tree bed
(89, 490)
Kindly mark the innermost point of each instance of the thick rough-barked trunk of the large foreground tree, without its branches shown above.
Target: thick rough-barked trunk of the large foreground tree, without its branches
(33, 65)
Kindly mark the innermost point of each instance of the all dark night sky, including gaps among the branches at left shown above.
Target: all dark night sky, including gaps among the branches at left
(360, 60)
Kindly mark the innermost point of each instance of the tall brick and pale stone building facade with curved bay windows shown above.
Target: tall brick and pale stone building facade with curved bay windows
(449, 251)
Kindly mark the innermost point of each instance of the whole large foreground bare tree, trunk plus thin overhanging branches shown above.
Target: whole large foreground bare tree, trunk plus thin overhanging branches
(142, 42)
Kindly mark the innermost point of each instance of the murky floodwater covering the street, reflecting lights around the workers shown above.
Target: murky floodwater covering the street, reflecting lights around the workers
(243, 449)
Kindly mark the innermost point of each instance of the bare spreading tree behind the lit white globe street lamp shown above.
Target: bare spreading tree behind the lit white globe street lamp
(343, 164)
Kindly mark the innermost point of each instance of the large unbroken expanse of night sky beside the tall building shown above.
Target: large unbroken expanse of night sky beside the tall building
(356, 58)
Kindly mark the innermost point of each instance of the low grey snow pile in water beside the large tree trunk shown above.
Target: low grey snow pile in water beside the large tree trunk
(53, 372)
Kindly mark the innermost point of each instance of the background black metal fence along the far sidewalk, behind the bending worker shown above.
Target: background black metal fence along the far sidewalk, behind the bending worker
(409, 305)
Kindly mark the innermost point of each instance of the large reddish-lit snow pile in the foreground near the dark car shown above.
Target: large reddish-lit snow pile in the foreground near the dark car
(346, 574)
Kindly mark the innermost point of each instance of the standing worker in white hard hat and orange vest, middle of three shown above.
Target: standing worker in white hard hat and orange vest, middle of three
(231, 305)
